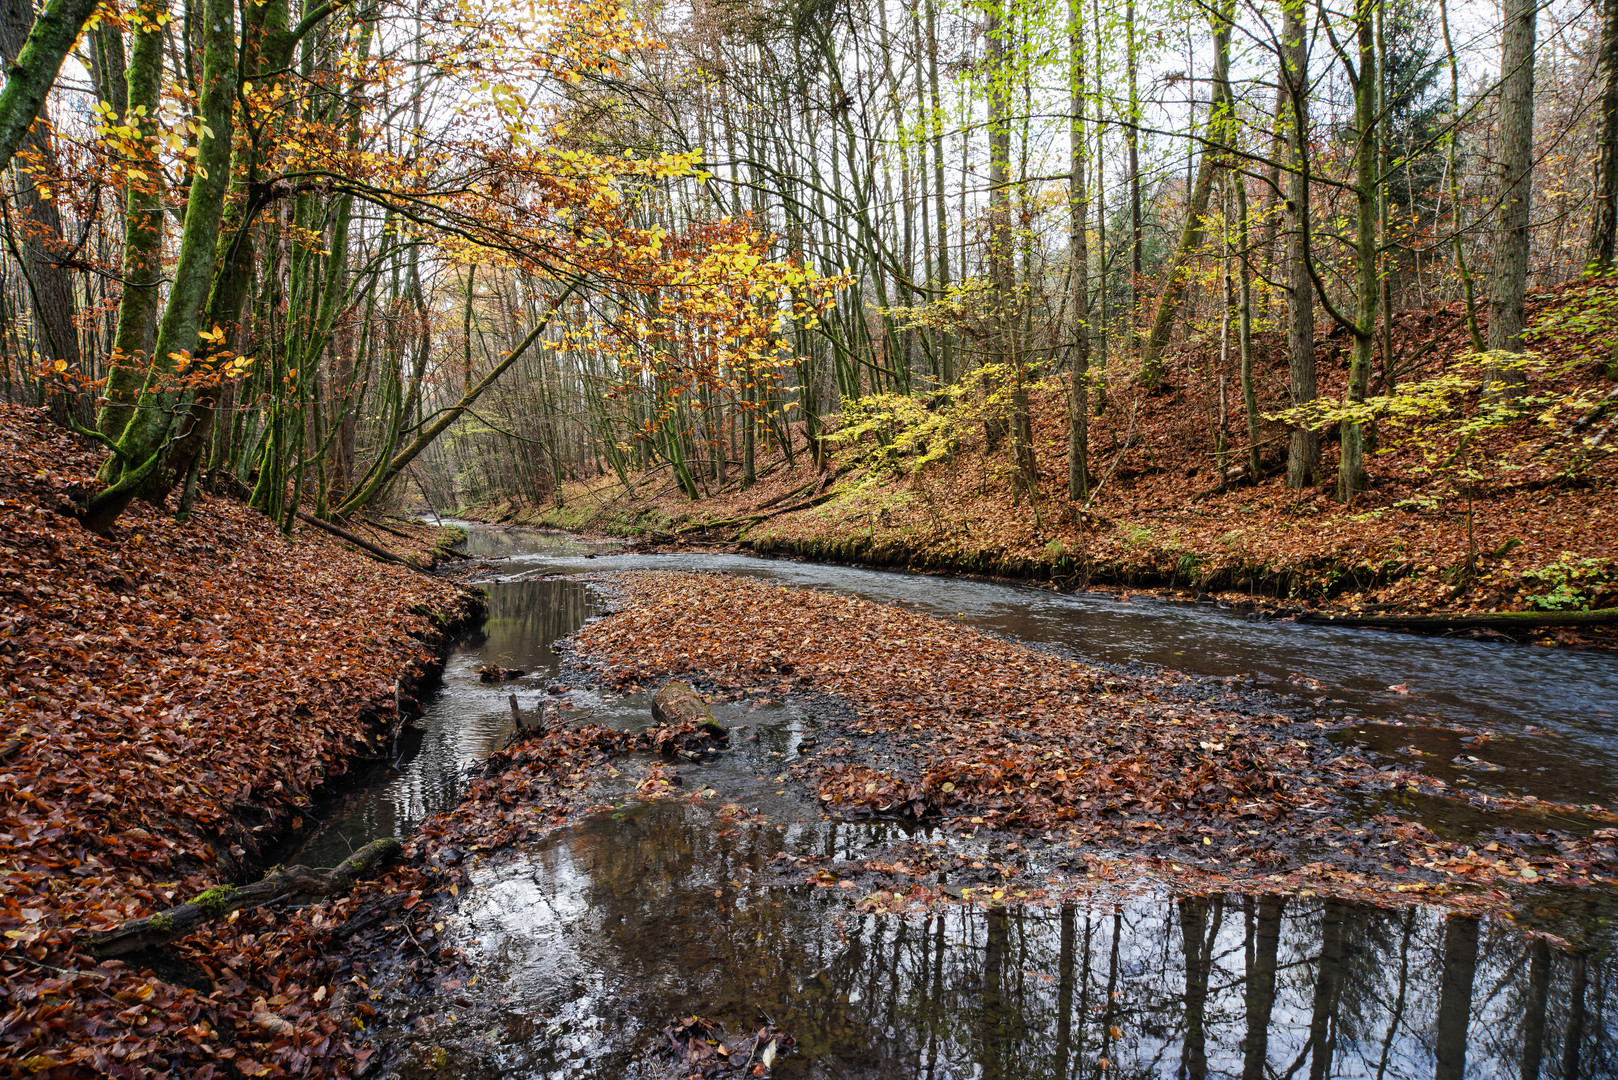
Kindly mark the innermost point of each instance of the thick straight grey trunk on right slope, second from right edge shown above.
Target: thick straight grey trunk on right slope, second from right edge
(1509, 284)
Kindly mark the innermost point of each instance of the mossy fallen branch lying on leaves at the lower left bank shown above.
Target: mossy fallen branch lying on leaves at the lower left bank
(221, 901)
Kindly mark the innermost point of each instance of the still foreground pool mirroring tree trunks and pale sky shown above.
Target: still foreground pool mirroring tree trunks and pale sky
(591, 943)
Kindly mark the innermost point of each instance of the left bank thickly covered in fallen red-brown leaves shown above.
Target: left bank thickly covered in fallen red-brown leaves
(172, 699)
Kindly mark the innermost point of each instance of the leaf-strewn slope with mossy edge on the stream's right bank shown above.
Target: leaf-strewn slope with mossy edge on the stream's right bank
(1522, 519)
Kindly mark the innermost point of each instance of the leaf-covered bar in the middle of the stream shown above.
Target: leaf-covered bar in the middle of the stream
(985, 733)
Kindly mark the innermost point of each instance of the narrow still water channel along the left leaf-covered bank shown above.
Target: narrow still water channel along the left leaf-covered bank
(464, 721)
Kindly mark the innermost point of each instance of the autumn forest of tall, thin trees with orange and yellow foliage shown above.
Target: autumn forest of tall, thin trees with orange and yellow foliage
(370, 255)
